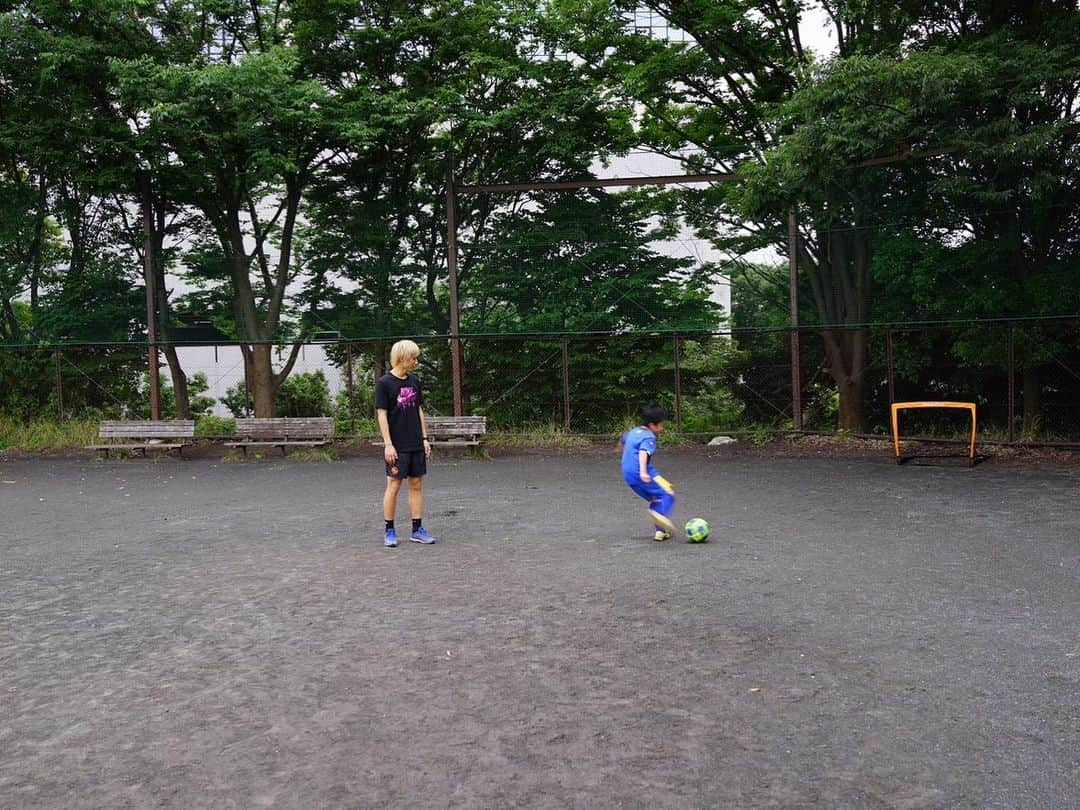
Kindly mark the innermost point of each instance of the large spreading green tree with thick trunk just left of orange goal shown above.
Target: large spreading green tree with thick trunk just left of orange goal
(745, 93)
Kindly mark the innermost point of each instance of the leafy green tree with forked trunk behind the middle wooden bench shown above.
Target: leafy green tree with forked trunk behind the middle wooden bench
(247, 129)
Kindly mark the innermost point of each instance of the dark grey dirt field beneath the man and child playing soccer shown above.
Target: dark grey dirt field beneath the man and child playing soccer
(857, 636)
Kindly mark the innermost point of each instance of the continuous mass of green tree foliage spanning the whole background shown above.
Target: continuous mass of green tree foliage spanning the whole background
(298, 158)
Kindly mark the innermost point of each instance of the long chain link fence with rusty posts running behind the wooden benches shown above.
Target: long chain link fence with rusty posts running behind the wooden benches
(1024, 377)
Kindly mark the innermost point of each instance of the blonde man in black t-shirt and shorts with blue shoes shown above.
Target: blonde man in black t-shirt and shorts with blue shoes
(399, 406)
